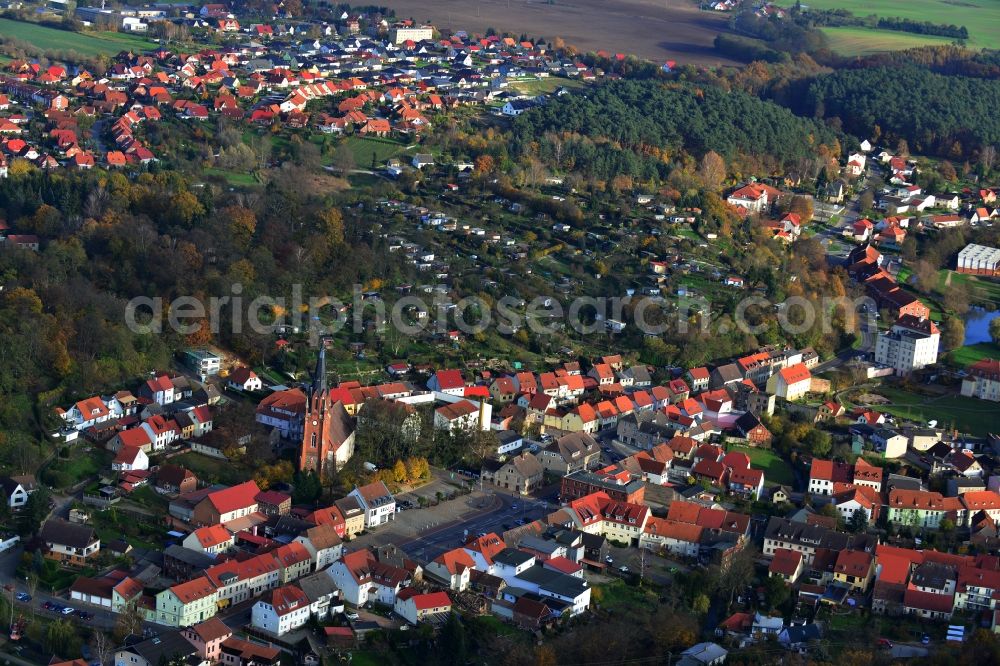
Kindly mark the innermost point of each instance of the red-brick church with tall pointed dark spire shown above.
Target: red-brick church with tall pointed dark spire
(328, 430)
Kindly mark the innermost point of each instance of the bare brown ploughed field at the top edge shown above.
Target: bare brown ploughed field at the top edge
(659, 30)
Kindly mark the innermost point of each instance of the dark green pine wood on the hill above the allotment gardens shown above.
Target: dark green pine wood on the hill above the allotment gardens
(635, 129)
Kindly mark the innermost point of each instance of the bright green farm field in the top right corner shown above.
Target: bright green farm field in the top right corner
(981, 17)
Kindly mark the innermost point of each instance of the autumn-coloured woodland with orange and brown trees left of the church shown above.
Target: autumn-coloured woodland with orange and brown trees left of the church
(114, 238)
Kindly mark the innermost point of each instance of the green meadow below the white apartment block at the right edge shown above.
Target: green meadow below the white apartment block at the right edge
(969, 415)
